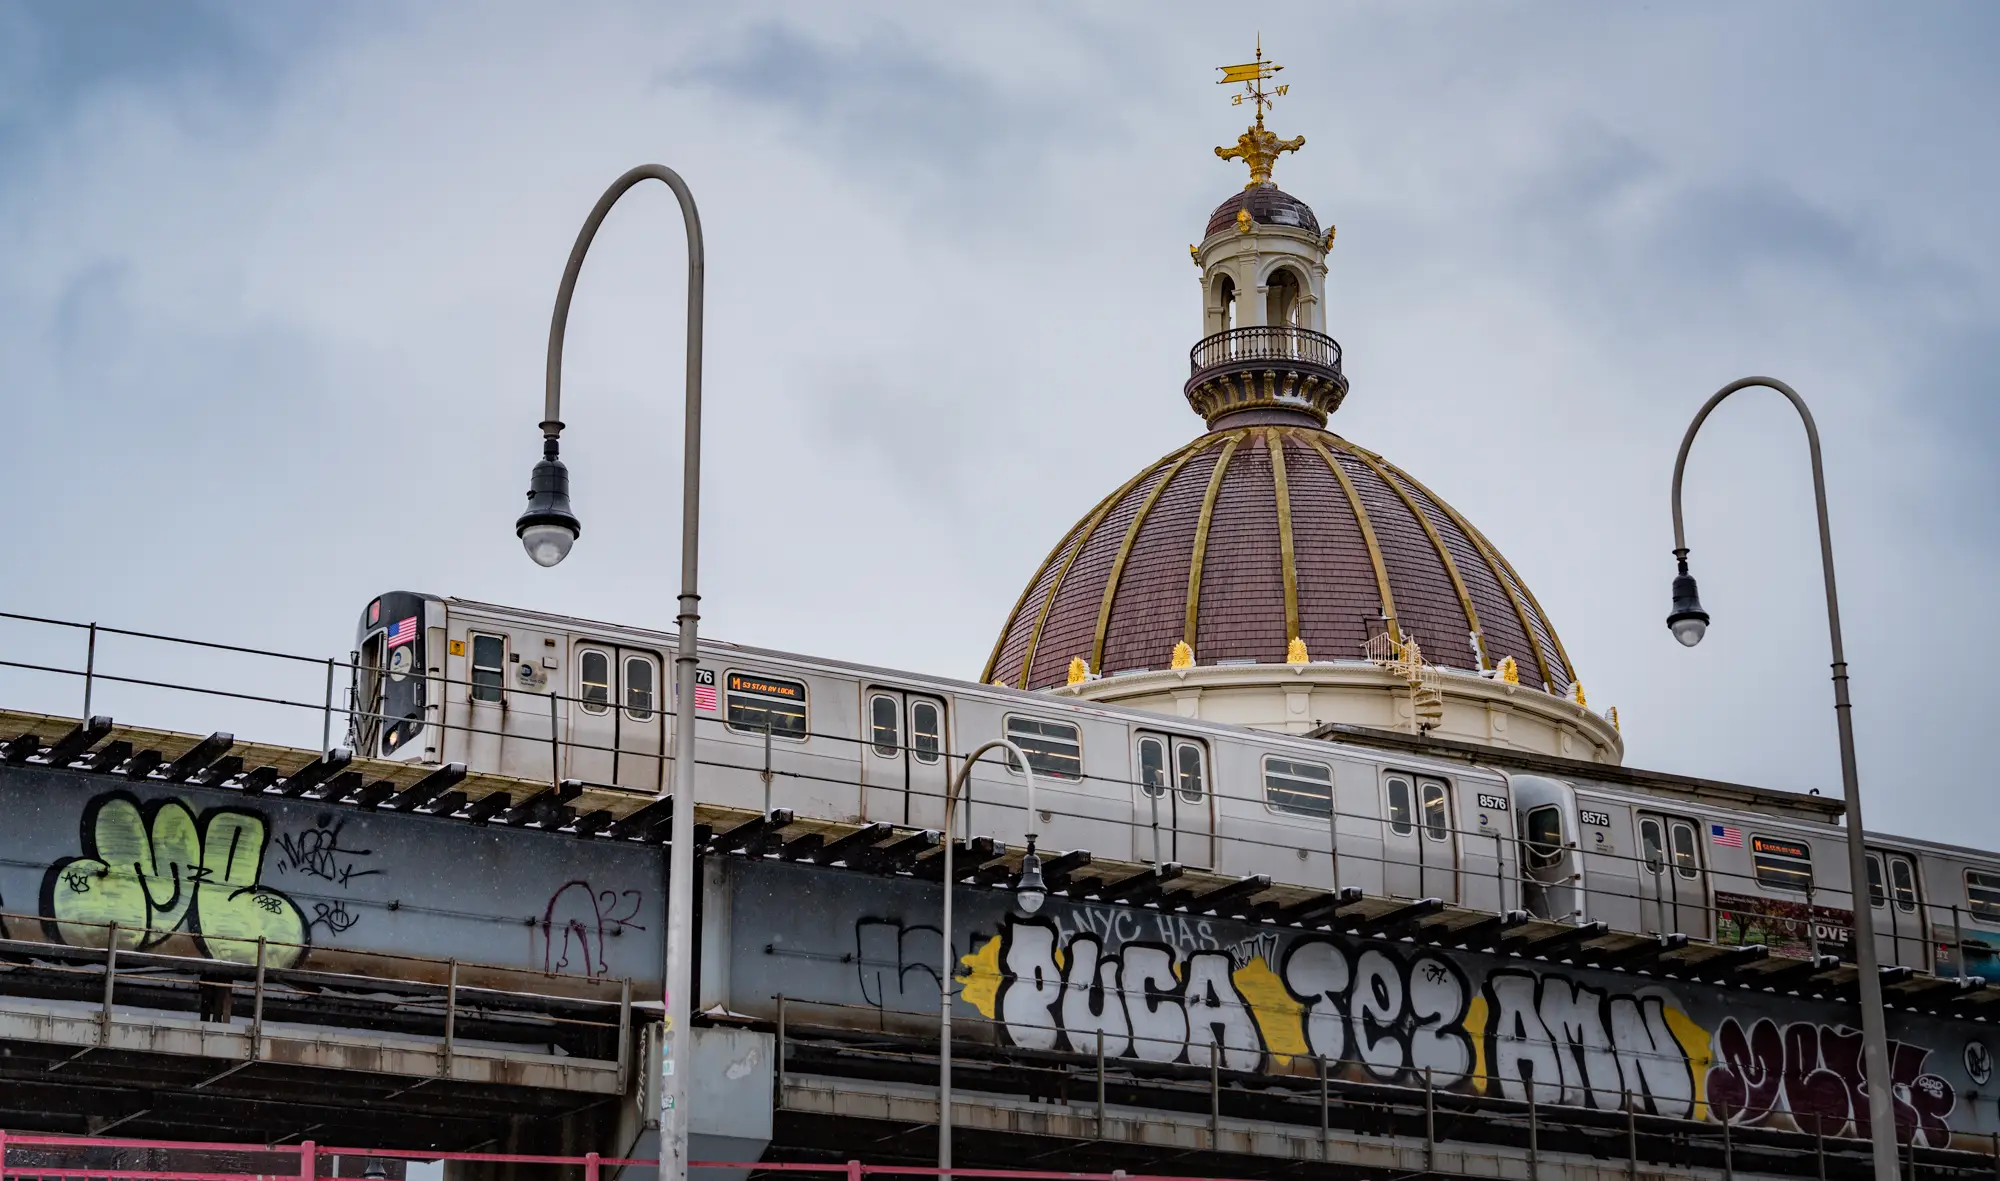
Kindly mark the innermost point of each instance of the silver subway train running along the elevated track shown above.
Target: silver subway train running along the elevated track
(553, 698)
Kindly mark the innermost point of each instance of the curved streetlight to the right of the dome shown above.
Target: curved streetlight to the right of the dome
(1689, 624)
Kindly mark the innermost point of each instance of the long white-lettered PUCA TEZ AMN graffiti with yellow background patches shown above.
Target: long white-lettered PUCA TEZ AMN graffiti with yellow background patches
(1379, 1012)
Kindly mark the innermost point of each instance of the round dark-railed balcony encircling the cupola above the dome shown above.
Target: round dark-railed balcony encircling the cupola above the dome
(1267, 369)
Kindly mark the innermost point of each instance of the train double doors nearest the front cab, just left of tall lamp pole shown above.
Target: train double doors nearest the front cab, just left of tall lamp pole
(617, 728)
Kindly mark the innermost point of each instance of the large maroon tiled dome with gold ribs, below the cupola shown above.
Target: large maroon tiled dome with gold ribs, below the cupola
(1255, 535)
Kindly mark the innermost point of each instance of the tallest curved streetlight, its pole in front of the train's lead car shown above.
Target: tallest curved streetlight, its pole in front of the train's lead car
(549, 529)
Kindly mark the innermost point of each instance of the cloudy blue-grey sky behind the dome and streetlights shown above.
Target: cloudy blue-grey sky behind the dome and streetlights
(275, 297)
